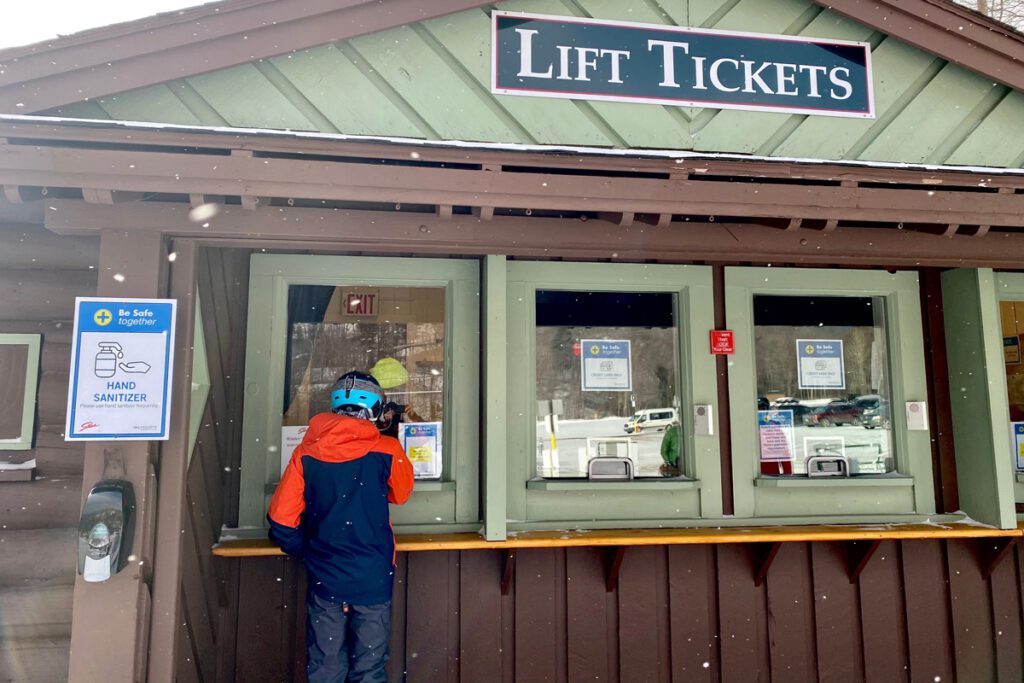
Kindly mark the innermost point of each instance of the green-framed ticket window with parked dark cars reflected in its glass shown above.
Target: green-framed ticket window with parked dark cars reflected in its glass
(828, 390)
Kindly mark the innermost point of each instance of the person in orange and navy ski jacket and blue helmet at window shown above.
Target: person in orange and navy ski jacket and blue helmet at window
(331, 509)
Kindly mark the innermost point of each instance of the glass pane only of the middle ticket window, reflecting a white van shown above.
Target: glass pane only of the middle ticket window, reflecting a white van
(608, 382)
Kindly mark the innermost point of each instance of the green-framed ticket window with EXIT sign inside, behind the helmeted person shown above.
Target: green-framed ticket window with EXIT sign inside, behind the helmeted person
(414, 324)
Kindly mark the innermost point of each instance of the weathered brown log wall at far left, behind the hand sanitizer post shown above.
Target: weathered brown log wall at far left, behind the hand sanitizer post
(40, 276)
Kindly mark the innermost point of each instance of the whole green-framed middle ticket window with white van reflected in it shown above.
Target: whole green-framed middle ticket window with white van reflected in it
(607, 366)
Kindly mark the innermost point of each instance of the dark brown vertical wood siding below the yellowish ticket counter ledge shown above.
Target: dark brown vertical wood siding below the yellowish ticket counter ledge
(922, 612)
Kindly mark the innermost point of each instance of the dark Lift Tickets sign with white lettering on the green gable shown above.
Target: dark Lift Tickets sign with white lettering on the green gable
(564, 57)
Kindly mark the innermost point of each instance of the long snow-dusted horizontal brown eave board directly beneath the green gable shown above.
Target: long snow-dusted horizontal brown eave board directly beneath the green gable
(114, 136)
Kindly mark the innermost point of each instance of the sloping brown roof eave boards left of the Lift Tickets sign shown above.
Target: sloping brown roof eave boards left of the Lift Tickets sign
(40, 77)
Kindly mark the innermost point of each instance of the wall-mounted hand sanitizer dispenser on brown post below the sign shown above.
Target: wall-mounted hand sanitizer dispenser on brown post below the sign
(105, 533)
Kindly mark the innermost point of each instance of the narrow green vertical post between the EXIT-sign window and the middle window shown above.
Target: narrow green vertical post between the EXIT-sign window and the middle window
(495, 397)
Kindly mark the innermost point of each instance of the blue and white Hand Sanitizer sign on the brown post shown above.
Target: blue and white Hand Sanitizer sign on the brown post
(121, 370)
